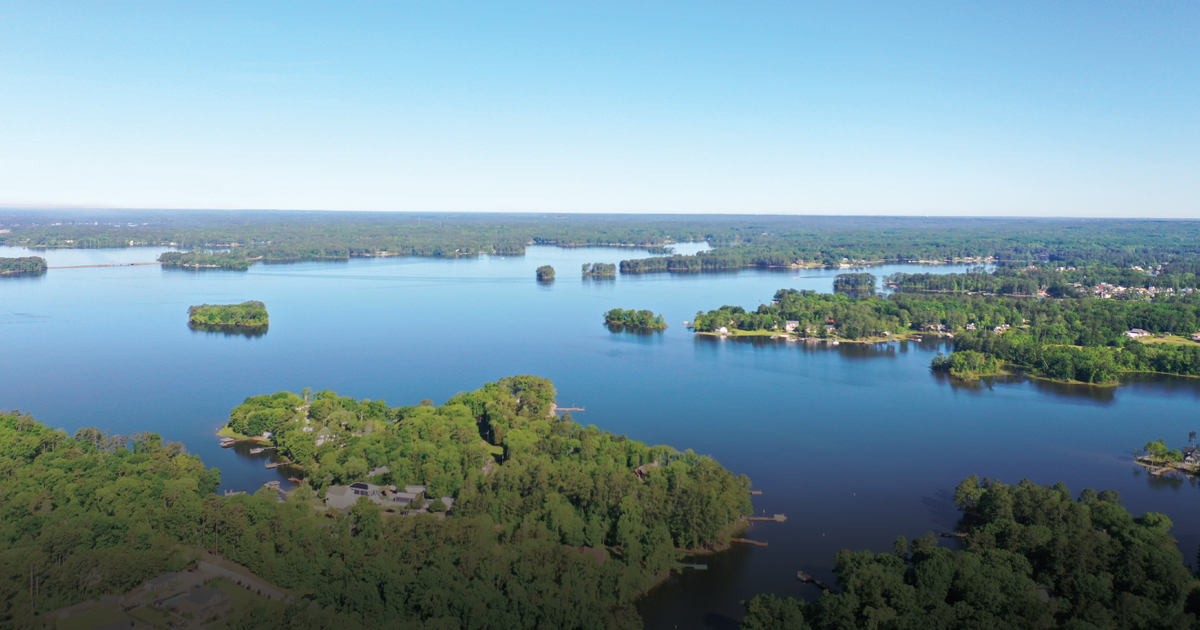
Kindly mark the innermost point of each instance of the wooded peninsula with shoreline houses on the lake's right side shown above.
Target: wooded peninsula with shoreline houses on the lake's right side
(1083, 340)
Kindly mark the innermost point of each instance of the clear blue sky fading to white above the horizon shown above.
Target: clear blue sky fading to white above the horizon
(964, 109)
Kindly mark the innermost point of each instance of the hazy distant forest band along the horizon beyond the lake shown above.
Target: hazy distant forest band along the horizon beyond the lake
(739, 242)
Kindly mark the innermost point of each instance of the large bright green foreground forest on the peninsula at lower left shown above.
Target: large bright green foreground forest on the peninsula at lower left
(101, 514)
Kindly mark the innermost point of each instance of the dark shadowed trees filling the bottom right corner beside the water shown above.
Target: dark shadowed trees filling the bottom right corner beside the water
(1035, 559)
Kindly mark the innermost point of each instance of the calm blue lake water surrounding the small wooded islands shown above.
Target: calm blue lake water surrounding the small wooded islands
(856, 445)
